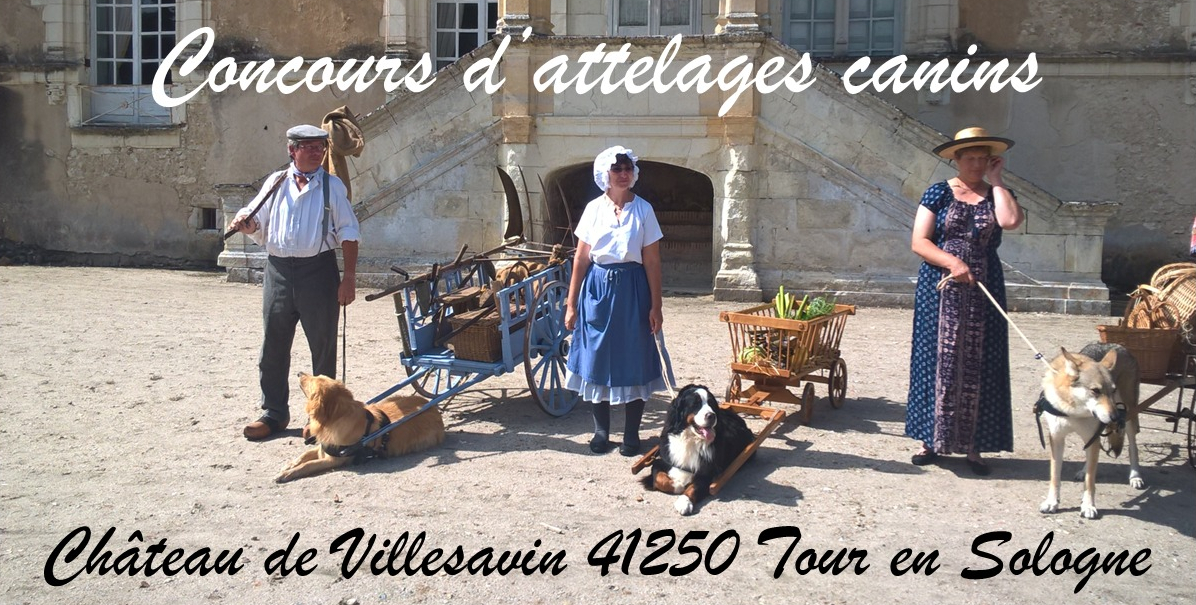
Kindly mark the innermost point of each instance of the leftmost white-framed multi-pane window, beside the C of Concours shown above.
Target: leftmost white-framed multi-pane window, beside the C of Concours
(108, 101)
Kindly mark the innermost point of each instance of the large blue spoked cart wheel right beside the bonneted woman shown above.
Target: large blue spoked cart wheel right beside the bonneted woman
(547, 349)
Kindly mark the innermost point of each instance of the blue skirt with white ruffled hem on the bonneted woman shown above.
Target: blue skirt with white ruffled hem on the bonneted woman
(614, 355)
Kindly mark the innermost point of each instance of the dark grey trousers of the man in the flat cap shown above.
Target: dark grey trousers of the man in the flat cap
(297, 291)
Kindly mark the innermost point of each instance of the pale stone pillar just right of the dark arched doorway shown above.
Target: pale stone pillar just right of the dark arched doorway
(736, 193)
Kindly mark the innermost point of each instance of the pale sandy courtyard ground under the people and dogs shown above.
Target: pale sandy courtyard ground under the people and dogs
(126, 390)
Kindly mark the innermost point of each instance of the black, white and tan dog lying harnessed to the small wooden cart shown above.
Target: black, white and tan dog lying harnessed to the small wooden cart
(699, 442)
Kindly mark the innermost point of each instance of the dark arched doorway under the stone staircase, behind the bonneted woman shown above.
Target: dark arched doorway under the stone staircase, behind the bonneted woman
(682, 199)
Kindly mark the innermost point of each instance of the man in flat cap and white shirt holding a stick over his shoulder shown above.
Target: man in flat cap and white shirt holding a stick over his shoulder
(306, 217)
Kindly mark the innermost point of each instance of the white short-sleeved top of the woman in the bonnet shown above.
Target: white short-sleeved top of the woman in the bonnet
(619, 240)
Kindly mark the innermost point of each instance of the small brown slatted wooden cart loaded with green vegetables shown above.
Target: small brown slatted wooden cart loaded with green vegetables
(776, 355)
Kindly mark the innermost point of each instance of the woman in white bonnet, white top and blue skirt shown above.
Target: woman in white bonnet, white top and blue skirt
(614, 304)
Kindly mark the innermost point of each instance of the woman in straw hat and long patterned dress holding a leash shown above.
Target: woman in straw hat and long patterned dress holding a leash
(960, 364)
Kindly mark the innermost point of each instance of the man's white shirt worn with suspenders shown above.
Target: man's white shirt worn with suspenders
(292, 222)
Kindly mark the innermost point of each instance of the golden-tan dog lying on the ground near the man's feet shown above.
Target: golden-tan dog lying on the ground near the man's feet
(338, 421)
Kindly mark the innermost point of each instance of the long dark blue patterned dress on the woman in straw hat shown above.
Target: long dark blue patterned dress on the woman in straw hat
(960, 363)
